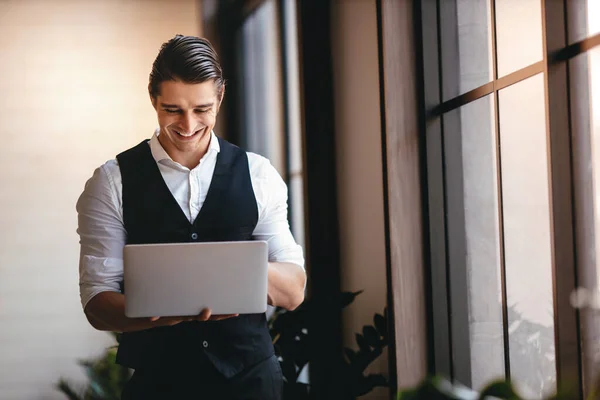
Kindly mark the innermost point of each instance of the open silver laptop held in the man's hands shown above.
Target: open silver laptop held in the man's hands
(180, 279)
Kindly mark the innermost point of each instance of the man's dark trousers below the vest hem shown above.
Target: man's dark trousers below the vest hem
(202, 381)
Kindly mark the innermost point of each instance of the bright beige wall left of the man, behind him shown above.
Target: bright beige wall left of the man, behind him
(73, 78)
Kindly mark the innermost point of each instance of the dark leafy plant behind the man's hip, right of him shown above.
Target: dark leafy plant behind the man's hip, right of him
(289, 330)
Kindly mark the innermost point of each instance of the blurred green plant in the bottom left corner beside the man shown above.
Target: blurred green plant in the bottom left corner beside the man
(106, 378)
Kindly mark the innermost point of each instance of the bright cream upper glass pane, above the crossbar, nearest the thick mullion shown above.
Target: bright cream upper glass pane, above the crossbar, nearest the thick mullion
(519, 34)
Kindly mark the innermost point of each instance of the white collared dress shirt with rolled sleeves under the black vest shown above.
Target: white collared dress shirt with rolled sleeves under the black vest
(100, 213)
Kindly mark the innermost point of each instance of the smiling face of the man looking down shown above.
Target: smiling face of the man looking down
(186, 113)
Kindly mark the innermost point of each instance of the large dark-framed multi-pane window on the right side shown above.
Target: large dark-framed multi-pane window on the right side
(504, 164)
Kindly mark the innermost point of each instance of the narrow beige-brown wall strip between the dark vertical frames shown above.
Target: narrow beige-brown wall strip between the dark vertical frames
(359, 166)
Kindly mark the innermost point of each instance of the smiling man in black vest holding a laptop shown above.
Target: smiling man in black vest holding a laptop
(158, 192)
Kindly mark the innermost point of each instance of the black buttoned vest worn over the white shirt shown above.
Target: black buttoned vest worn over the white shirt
(152, 215)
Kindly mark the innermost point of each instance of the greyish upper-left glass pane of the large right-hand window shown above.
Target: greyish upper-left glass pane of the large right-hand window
(473, 39)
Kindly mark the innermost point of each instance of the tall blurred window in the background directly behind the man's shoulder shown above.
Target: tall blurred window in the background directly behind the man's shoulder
(270, 91)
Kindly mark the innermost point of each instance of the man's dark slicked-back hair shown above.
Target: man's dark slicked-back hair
(187, 59)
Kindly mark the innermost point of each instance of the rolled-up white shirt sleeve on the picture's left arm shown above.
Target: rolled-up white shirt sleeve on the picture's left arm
(102, 236)
